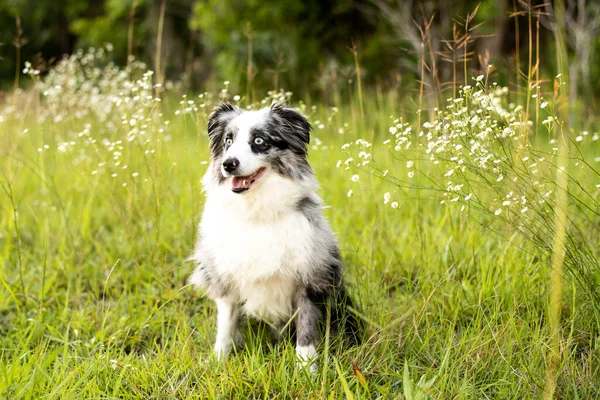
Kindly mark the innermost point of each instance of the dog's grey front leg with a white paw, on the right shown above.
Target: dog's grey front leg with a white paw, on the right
(307, 331)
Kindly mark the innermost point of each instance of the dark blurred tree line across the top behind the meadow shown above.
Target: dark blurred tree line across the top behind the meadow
(303, 46)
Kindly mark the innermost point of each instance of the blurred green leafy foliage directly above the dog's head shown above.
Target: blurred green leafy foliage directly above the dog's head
(273, 43)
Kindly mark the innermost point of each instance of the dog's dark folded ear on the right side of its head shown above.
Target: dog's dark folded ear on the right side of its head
(293, 127)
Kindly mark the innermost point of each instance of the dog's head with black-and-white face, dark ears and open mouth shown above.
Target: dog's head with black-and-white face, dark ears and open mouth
(248, 145)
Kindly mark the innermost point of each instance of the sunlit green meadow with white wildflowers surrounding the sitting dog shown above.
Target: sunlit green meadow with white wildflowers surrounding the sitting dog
(101, 196)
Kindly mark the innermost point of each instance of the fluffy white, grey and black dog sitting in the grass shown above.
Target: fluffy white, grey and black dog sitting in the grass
(264, 247)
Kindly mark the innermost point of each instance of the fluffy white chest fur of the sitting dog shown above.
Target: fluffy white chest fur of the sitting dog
(262, 251)
